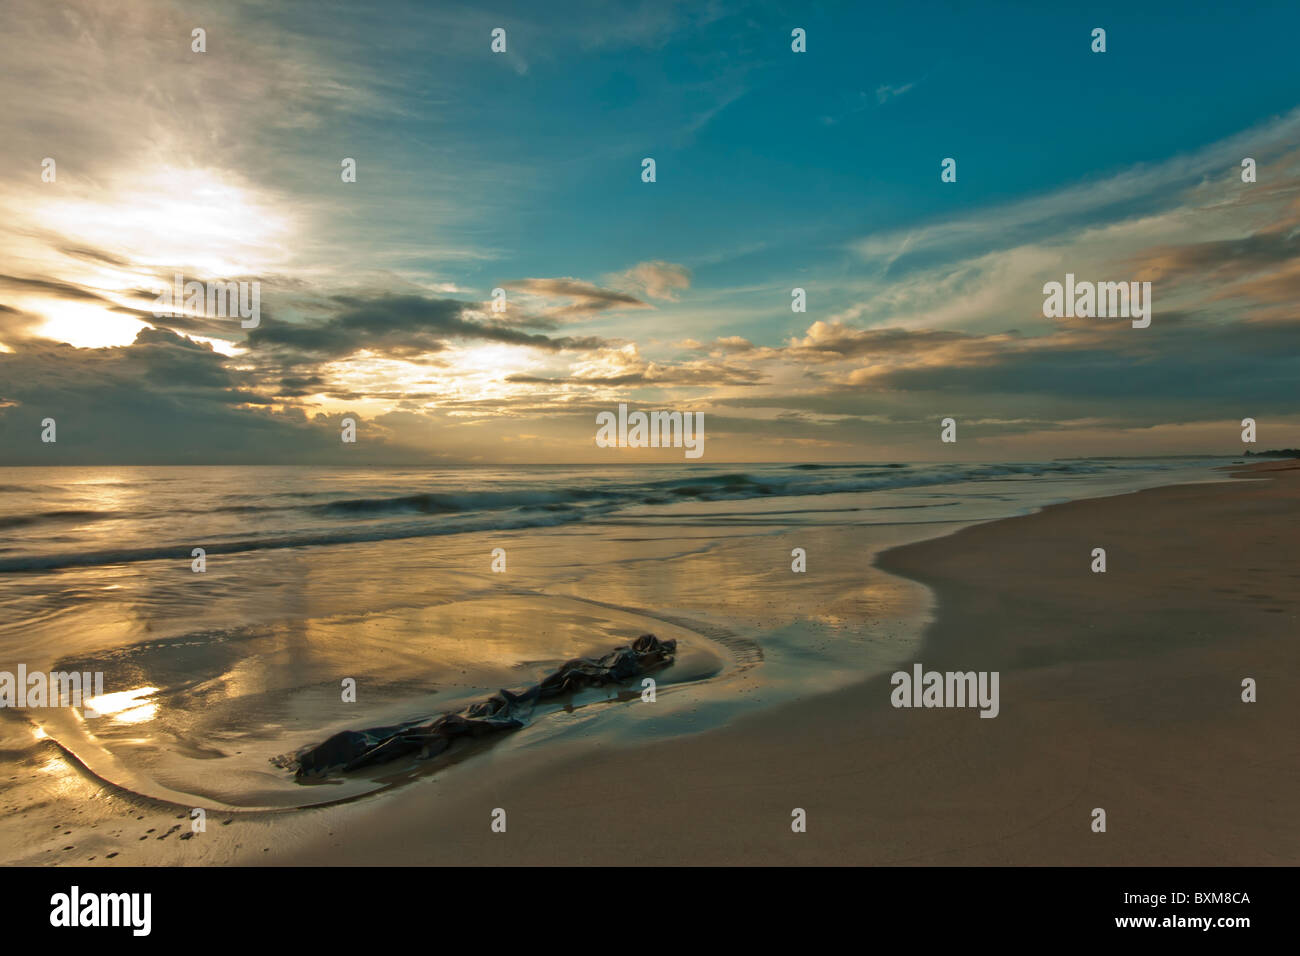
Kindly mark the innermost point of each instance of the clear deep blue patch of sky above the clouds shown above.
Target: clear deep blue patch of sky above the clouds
(799, 153)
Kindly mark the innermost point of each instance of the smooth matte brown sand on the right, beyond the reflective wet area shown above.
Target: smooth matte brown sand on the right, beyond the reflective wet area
(1119, 691)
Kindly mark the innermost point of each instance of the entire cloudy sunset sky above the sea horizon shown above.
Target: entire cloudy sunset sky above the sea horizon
(522, 171)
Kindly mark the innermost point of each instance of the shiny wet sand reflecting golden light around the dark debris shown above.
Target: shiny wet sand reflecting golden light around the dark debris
(424, 628)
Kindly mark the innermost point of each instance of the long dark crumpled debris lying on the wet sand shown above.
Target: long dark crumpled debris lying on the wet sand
(505, 711)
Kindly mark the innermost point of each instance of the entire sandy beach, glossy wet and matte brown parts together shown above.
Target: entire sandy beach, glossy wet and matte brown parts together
(1119, 691)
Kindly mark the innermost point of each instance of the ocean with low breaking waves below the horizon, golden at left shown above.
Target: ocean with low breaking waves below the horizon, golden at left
(58, 518)
